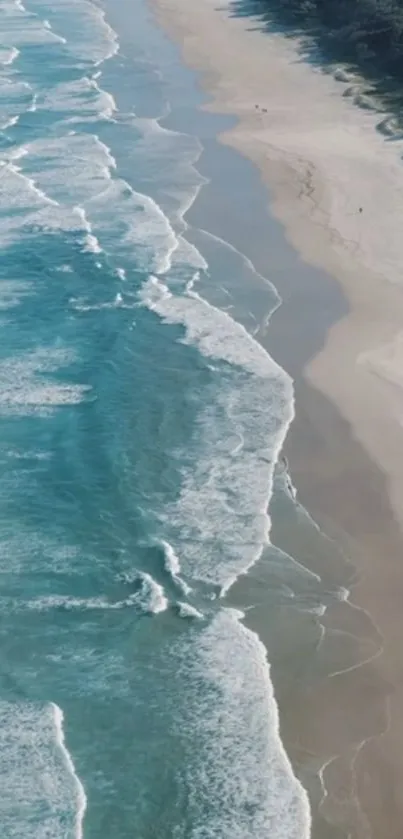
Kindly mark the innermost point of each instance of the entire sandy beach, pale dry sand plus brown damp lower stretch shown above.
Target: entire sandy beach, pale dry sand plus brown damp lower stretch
(323, 159)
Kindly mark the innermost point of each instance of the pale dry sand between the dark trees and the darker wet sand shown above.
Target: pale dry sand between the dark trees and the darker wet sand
(327, 236)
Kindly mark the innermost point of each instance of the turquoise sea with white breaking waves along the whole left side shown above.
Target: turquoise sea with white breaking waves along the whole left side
(140, 423)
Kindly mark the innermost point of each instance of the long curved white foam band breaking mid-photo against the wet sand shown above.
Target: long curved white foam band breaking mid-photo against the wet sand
(220, 522)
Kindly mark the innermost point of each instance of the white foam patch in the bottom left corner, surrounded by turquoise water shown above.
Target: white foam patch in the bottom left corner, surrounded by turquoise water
(41, 794)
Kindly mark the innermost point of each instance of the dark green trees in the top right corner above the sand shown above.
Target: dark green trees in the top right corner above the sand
(368, 33)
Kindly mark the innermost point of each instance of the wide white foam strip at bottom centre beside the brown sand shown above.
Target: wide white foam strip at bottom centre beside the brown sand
(239, 781)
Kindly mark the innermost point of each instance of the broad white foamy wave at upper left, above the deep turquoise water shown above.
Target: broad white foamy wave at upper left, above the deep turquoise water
(85, 199)
